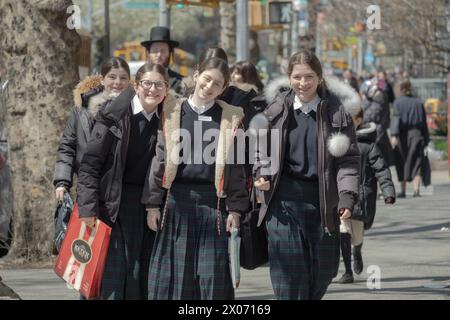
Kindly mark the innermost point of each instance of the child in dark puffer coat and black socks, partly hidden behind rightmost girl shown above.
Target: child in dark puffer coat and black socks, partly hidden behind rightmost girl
(373, 170)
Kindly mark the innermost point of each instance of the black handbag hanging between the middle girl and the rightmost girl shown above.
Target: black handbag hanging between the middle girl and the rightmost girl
(254, 246)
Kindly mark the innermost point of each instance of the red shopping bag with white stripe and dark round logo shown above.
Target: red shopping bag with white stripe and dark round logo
(82, 256)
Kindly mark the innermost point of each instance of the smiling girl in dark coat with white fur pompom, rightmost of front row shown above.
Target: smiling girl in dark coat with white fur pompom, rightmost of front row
(316, 184)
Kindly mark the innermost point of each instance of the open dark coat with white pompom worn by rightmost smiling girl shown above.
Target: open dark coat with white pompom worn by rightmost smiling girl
(338, 157)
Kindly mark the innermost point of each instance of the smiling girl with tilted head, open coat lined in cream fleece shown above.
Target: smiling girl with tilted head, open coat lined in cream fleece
(205, 197)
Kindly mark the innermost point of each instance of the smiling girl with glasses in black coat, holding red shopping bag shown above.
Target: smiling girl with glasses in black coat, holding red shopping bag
(112, 176)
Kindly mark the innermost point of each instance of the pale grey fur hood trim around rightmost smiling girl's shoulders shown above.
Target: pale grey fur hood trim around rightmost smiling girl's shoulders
(350, 99)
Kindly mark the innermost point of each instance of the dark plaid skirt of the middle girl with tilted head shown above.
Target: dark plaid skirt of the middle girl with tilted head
(189, 259)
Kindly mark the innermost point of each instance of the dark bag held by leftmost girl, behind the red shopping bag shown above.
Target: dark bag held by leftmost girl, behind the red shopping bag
(61, 220)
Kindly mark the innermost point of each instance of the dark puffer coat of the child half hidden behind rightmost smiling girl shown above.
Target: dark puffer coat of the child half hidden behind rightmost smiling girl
(373, 170)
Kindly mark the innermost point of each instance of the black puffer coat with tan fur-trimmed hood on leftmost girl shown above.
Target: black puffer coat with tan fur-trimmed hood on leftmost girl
(89, 97)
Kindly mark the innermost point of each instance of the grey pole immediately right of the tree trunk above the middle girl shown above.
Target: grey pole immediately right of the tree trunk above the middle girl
(242, 52)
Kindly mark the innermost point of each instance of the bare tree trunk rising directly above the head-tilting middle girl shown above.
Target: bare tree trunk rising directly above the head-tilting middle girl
(228, 29)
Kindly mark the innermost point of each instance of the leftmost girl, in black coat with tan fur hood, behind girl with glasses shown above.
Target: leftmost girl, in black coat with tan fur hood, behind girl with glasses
(89, 96)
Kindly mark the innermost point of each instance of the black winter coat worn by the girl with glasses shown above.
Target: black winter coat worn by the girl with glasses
(100, 177)
